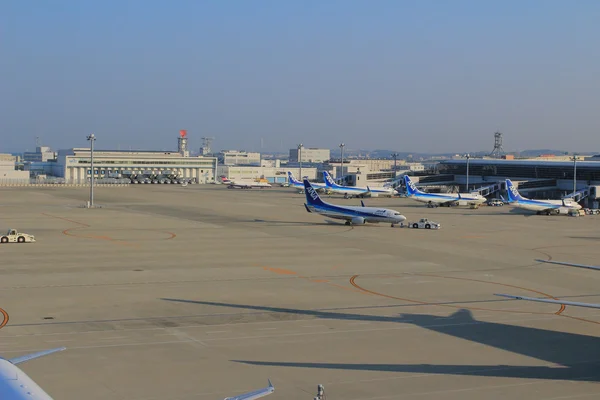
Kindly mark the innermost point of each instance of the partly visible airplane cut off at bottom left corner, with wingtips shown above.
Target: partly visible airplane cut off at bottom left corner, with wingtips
(17, 385)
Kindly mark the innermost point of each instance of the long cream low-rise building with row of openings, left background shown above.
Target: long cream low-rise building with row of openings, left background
(74, 165)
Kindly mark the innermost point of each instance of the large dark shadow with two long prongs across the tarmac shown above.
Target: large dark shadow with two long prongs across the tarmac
(575, 356)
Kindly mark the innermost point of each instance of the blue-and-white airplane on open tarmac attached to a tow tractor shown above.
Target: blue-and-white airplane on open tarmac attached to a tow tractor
(352, 215)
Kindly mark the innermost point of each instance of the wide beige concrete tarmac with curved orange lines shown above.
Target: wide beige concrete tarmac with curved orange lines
(200, 292)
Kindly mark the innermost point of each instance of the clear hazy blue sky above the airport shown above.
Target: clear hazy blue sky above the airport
(418, 75)
